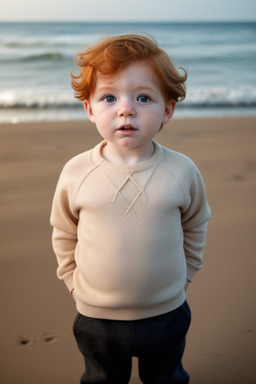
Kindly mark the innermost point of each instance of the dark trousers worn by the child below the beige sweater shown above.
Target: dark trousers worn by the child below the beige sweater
(158, 343)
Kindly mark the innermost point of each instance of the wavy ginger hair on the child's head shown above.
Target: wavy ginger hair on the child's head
(112, 54)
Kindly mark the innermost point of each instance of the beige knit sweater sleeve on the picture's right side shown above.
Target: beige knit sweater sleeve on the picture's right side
(194, 219)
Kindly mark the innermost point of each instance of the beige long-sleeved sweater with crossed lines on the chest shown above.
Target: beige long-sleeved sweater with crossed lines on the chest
(127, 237)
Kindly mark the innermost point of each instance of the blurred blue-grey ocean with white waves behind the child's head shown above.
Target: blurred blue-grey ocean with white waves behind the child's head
(36, 60)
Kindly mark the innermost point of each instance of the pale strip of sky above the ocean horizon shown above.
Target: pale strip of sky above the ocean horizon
(128, 10)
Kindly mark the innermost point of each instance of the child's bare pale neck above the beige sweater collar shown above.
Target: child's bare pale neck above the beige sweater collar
(127, 156)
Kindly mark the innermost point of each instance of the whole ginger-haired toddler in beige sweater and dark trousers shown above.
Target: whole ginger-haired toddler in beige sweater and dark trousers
(129, 218)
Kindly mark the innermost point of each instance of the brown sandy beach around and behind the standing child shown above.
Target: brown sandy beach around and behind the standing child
(37, 312)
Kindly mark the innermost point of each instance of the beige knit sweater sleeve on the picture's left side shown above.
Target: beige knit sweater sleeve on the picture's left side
(64, 220)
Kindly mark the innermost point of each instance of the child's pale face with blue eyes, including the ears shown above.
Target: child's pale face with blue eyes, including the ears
(129, 111)
